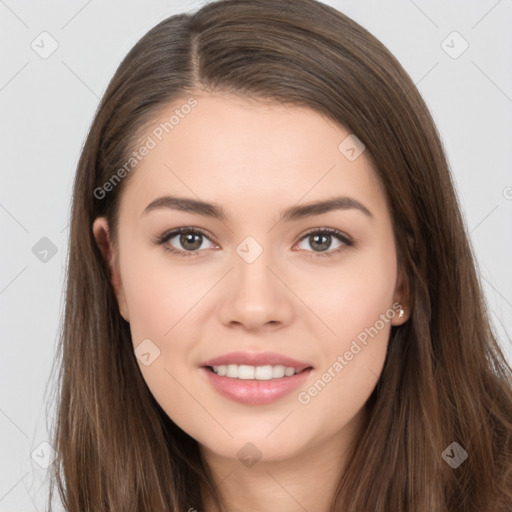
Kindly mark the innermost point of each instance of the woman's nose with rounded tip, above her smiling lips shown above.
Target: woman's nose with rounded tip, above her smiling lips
(256, 296)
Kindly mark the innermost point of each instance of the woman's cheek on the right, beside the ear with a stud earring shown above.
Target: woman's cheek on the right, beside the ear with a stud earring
(354, 303)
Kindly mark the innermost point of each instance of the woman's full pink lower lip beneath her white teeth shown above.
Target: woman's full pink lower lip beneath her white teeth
(256, 392)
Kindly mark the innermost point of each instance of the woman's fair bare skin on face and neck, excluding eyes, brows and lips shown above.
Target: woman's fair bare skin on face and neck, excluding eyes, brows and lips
(254, 160)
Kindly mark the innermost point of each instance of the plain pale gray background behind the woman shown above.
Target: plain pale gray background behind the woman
(47, 104)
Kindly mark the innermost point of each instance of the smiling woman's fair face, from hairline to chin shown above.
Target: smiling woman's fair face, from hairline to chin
(256, 274)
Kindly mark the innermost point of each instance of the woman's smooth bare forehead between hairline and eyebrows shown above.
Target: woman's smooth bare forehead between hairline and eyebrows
(242, 153)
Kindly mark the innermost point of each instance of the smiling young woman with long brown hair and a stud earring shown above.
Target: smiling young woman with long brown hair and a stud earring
(272, 302)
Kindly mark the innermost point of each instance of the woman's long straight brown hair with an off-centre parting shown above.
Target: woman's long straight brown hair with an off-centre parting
(445, 378)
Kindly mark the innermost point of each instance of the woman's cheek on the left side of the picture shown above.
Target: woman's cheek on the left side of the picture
(161, 299)
